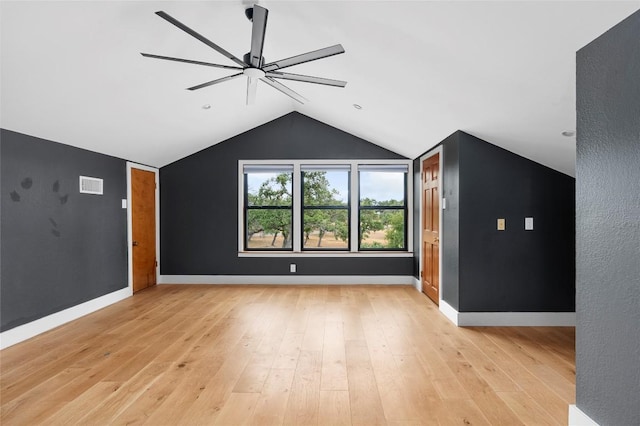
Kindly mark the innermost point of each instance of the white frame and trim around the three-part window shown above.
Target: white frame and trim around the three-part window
(298, 211)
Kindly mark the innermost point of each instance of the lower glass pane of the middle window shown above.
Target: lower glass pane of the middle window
(326, 228)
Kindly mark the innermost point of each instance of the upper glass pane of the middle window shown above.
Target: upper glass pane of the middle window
(326, 187)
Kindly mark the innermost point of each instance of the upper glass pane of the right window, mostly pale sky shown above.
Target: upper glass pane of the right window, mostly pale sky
(382, 188)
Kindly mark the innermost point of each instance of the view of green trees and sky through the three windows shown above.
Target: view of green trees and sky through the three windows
(325, 209)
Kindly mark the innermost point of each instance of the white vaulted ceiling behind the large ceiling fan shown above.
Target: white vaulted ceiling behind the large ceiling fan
(503, 71)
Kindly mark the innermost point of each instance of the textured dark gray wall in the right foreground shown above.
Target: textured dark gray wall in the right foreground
(608, 226)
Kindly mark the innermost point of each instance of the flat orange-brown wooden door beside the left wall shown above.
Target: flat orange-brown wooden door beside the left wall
(143, 220)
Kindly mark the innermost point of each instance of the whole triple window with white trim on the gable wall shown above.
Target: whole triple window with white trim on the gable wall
(324, 206)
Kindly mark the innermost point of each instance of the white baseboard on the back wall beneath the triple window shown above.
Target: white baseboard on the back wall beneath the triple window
(287, 279)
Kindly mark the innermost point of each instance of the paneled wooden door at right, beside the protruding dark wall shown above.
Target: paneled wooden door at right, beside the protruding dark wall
(431, 228)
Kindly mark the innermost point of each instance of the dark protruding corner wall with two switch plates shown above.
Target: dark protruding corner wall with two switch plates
(515, 270)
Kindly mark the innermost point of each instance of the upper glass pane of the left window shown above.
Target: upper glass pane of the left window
(268, 189)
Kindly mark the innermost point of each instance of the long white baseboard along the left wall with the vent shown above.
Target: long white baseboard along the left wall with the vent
(33, 328)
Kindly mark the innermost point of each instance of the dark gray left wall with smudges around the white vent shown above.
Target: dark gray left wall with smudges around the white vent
(59, 248)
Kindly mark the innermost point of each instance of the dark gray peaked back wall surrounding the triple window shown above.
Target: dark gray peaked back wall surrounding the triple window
(199, 202)
